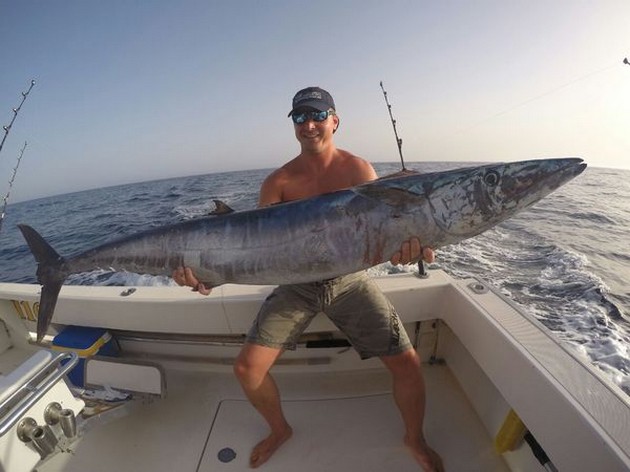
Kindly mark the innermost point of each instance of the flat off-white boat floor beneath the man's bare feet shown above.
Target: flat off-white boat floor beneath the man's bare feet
(204, 420)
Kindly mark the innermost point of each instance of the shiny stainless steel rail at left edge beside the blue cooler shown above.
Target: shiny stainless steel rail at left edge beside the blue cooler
(33, 389)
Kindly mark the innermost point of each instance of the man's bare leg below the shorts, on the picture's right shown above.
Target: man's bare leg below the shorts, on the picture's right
(409, 393)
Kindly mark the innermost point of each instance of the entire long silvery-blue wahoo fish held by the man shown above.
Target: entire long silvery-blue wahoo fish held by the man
(320, 237)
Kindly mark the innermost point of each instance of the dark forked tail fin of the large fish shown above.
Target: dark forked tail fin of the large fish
(50, 273)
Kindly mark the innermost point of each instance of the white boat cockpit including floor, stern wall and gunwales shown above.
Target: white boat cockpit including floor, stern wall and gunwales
(497, 360)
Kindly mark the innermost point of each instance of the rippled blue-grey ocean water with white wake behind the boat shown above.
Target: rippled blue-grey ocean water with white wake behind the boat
(566, 260)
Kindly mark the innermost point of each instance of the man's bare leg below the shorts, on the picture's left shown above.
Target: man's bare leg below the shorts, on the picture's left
(252, 370)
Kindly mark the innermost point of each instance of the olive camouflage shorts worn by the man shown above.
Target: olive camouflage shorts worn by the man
(353, 303)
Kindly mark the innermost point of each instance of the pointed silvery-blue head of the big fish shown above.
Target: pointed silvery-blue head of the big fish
(466, 202)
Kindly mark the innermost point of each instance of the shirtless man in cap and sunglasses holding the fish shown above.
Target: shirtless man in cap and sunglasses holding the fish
(320, 168)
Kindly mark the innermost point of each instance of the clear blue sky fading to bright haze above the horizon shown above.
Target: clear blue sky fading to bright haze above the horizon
(129, 91)
